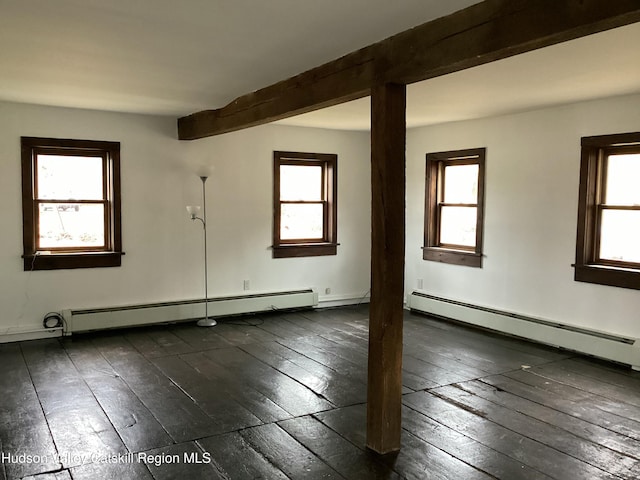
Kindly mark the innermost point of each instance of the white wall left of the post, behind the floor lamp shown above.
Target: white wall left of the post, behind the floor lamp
(163, 247)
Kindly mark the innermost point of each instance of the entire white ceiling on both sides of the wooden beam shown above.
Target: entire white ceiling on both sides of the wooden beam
(170, 57)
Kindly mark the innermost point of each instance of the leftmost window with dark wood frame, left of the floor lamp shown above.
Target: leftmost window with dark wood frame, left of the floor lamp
(70, 203)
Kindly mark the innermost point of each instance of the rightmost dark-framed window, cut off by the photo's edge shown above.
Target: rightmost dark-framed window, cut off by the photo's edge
(608, 240)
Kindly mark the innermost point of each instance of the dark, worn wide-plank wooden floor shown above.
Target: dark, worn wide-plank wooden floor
(283, 396)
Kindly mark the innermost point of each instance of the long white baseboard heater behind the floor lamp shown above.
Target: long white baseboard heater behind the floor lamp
(151, 313)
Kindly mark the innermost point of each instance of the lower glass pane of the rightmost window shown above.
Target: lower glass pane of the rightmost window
(620, 235)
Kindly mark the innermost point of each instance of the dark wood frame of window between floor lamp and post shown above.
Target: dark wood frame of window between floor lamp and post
(308, 247)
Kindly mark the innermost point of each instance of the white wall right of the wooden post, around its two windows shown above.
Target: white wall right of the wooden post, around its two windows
(532, 176)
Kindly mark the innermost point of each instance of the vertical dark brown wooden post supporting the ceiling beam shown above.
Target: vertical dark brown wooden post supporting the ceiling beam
(384, 398)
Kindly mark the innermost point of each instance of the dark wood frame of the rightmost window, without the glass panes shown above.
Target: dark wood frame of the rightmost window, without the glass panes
(588, 266)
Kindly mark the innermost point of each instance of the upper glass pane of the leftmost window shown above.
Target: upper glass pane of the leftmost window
(69, 178)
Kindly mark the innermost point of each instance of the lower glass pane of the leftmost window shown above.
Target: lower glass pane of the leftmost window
(66, 225)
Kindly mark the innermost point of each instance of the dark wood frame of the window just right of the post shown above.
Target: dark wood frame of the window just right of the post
(433, 249)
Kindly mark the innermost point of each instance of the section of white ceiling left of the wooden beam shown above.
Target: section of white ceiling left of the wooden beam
(175, 57)
